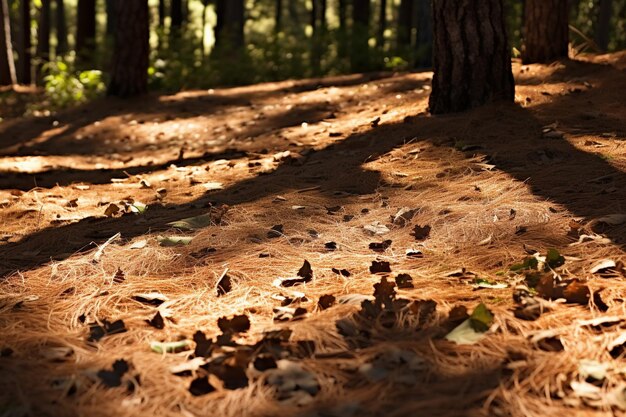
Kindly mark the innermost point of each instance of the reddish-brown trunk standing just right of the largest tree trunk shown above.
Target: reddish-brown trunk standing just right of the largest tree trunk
(546, 31)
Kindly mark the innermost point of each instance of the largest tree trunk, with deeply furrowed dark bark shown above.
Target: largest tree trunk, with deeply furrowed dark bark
(472, 64)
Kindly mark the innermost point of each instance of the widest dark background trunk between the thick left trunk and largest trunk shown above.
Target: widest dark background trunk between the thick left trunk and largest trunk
(229, 38)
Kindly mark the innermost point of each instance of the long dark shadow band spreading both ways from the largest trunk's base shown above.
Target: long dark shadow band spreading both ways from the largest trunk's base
(510, 135)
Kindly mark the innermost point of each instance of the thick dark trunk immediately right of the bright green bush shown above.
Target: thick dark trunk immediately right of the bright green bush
(131, 50)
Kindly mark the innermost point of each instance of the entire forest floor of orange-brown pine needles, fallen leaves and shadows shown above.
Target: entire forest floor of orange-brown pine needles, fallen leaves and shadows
(306, 248)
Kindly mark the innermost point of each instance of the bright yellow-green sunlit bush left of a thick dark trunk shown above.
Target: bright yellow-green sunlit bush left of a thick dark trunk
(65, 87)
